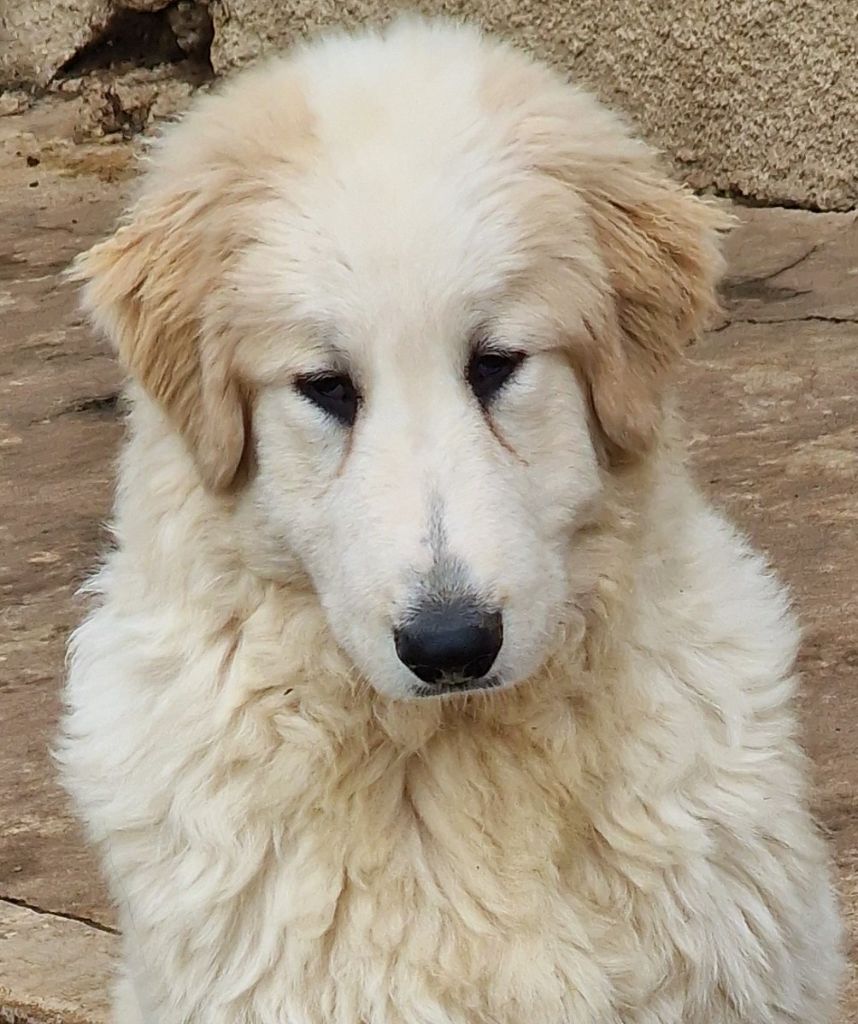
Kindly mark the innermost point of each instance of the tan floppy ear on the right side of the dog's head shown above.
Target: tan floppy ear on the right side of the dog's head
(660, 244)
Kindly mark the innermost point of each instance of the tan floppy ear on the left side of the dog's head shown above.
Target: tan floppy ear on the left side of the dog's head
(147, 287)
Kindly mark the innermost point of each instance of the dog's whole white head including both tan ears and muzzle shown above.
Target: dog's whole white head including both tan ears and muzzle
(410, 300)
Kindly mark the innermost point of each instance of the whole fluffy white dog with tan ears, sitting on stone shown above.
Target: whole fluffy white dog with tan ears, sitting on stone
(422, 687)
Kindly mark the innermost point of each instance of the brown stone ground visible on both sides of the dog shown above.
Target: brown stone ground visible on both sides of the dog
(771, 396)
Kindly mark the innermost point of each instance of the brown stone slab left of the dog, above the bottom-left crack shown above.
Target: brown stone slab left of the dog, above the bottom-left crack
(58, 436)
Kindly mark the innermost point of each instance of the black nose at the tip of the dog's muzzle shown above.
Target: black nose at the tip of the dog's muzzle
(456, 639)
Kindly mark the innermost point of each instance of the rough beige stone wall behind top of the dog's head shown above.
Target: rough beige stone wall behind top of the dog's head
(756, 99)
